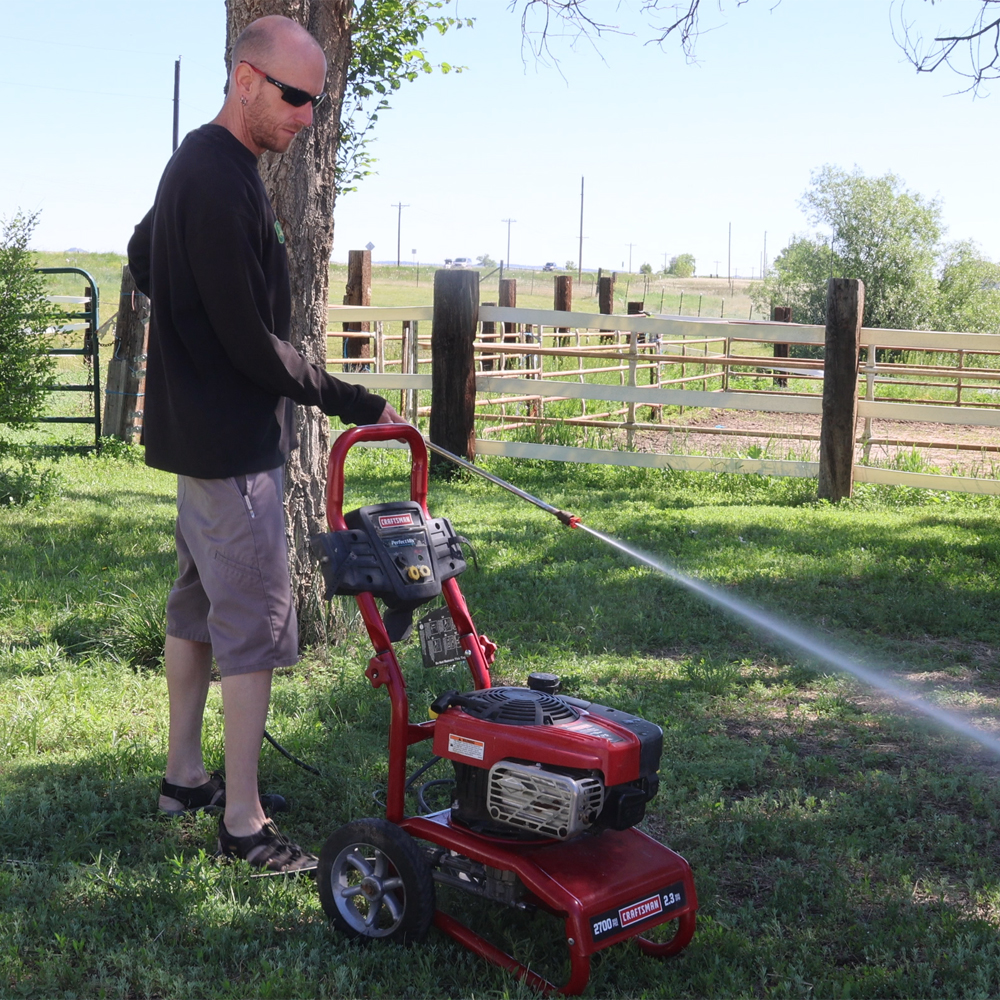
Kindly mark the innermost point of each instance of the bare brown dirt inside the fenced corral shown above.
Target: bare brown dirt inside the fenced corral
(796, 436)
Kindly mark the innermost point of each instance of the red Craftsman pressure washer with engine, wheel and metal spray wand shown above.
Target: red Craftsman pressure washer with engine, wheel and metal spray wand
(548, 789)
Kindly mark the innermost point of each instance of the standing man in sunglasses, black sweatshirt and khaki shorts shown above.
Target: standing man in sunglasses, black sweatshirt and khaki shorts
(220, 385)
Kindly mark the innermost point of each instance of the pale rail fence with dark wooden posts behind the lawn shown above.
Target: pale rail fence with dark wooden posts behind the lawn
(618, 369)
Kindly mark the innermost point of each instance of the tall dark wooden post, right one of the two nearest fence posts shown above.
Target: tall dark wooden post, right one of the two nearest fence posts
(845, 305)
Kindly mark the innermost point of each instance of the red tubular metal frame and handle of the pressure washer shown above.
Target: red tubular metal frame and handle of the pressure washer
(384, 670)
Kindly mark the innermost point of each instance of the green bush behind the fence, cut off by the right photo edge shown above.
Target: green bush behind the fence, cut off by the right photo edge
(968, 292)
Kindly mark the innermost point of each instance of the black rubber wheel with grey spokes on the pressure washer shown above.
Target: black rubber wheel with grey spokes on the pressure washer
(374, 882)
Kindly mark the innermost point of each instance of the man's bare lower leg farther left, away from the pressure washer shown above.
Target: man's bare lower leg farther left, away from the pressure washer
(188, 667)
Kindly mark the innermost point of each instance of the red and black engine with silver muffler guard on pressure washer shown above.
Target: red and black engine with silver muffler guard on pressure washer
(532, 764)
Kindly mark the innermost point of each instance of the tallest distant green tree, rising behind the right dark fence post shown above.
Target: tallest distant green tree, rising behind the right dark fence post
(884, 235)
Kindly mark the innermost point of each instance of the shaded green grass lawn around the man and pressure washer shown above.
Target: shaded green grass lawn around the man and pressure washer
(840, 847)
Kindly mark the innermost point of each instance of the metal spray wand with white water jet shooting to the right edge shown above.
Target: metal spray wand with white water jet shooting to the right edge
(789, 634)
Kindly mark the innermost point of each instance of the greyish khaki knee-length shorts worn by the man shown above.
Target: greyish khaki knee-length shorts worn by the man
(232, 587)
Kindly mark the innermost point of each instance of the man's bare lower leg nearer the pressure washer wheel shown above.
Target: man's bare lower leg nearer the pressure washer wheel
(245, 699)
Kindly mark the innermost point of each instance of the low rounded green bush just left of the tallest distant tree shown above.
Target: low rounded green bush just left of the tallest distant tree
(798, 279)
